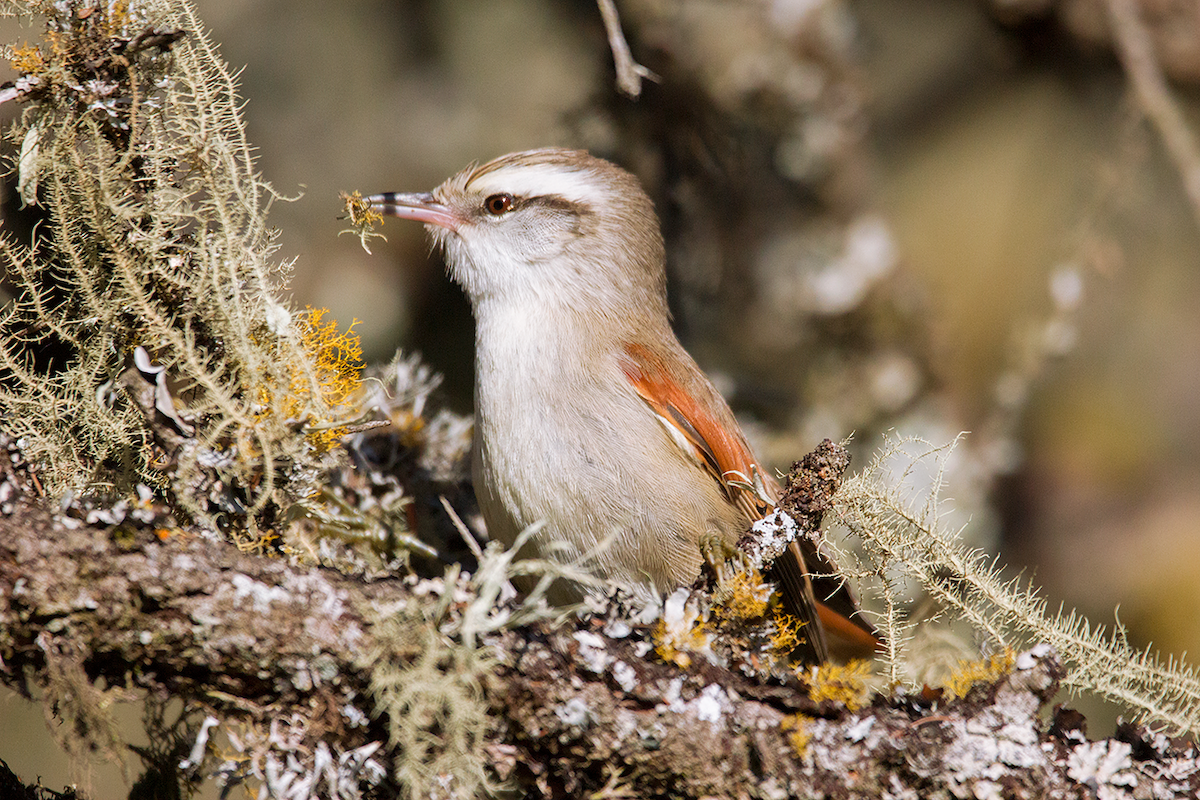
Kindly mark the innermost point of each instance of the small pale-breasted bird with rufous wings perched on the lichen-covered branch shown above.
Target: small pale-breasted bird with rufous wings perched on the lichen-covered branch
(591, 418)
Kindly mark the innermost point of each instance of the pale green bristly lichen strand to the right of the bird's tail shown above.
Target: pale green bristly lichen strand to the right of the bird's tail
(905, 540)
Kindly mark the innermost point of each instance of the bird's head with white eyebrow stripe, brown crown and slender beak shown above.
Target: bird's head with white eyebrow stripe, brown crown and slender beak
(547, 226)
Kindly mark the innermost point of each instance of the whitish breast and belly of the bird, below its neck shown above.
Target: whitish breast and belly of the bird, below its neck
(547, 450)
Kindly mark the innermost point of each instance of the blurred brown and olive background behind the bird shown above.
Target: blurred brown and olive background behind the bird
(926, 215)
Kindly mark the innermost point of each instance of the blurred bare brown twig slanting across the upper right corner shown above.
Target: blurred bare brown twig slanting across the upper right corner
(1137, 53)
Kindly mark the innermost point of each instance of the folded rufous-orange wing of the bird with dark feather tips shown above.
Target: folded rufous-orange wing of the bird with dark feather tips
(717, 444)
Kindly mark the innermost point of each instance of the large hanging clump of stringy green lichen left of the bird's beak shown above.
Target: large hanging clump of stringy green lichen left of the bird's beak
(154, 236)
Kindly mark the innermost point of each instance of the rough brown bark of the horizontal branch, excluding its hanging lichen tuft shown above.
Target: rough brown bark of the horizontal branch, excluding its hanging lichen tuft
(583, 708)
